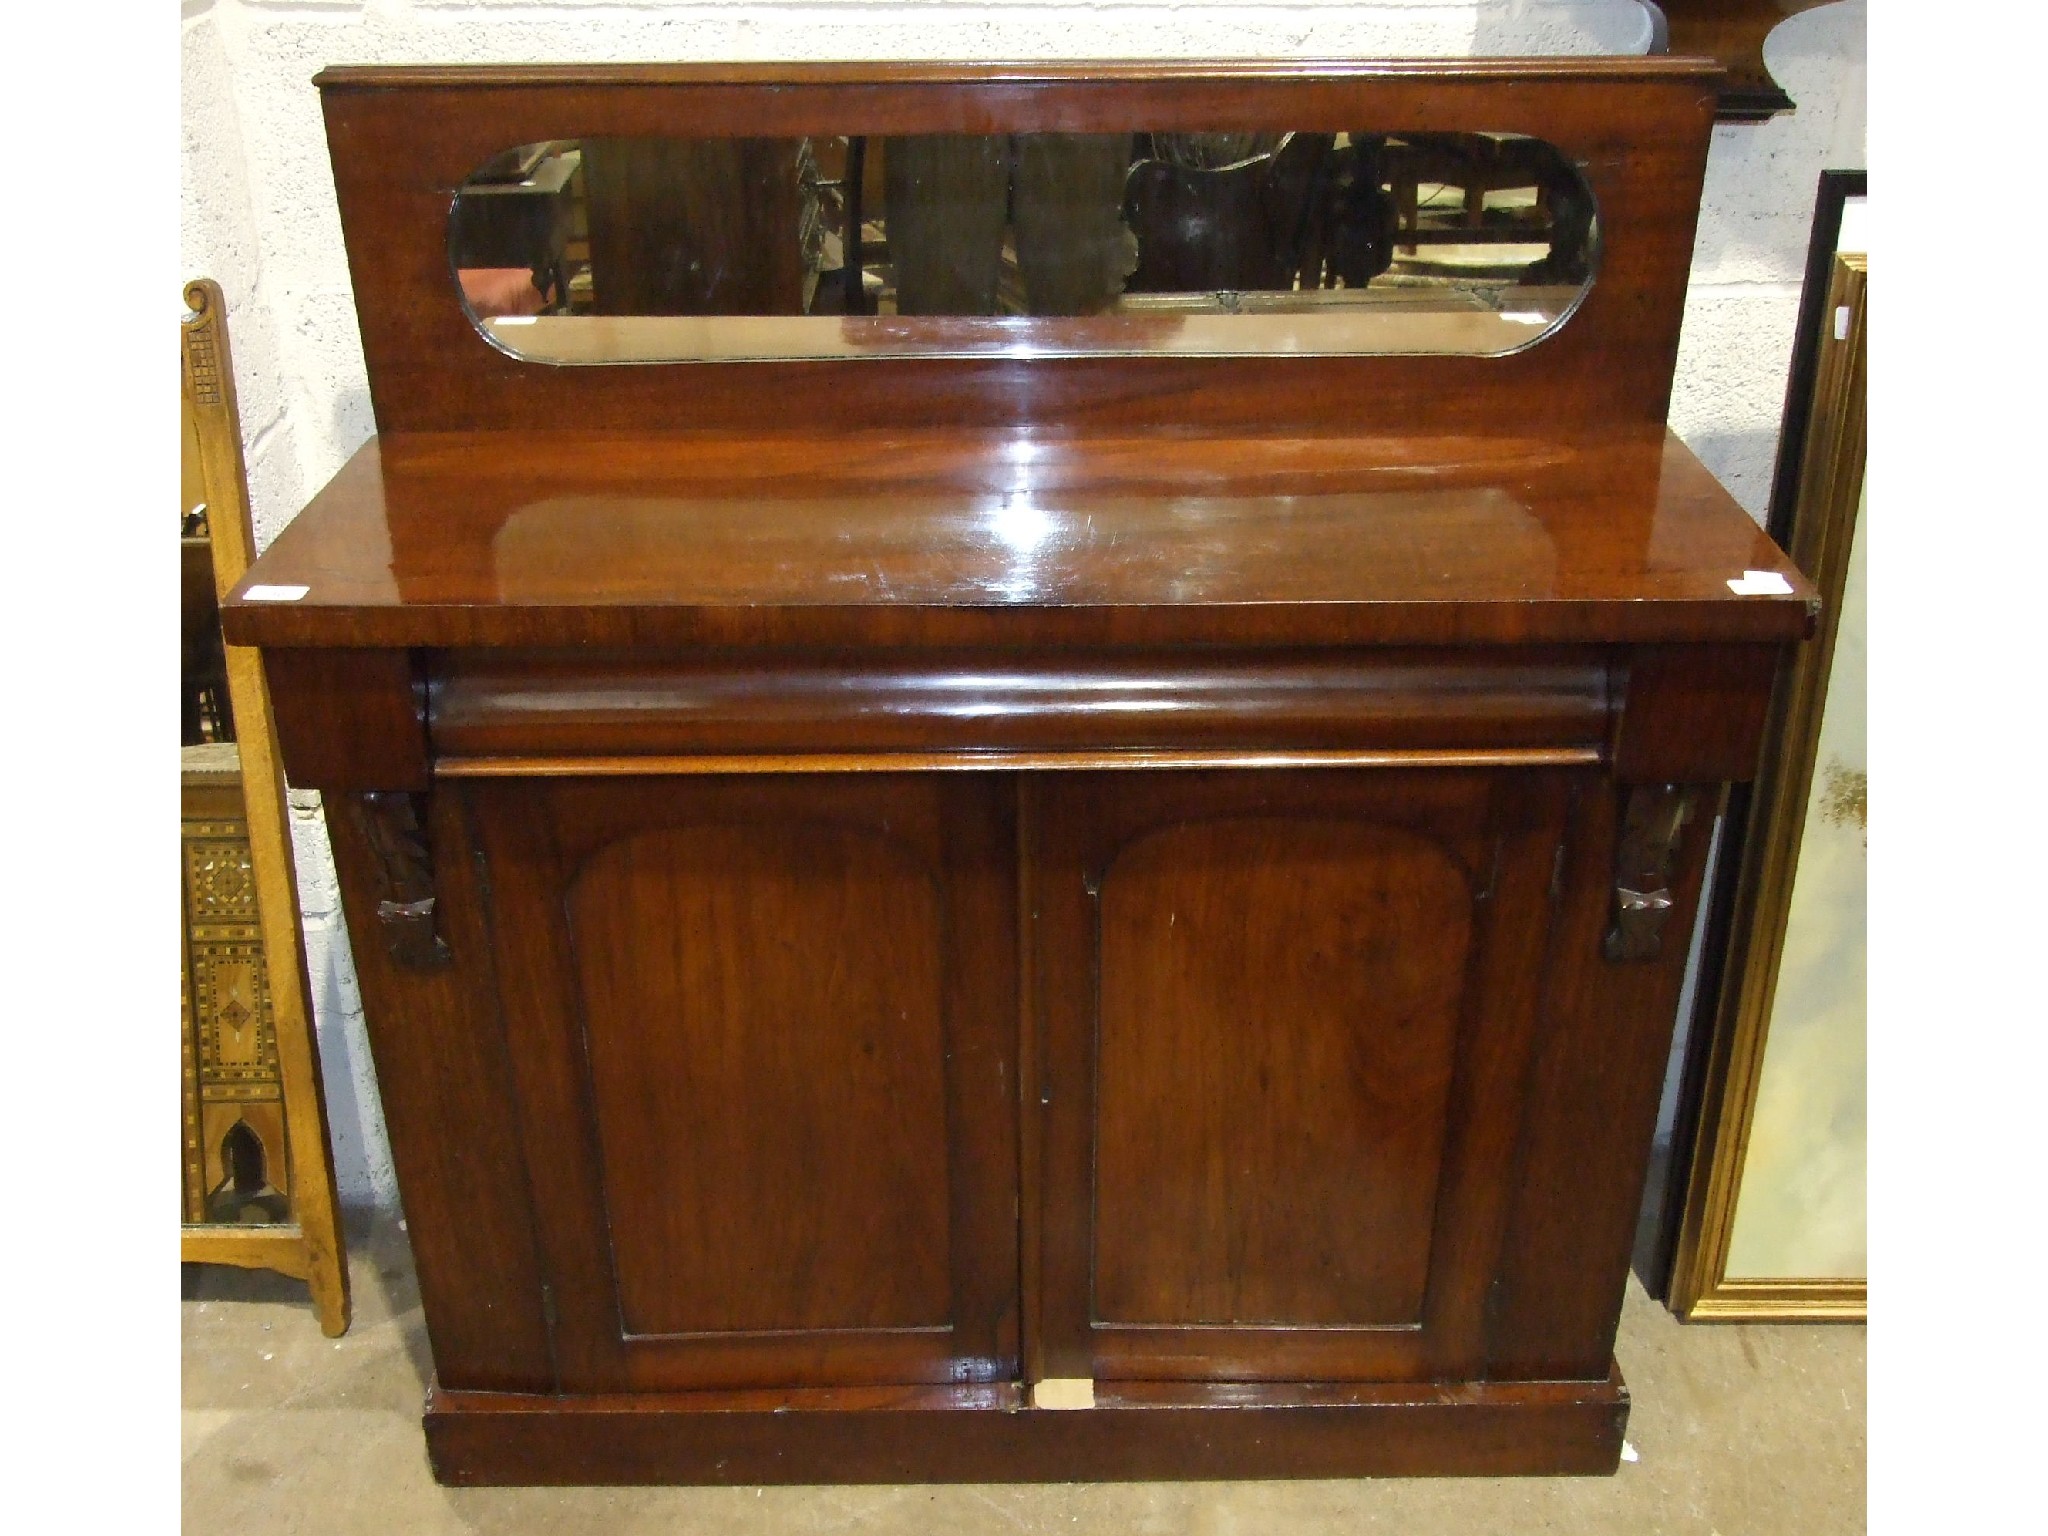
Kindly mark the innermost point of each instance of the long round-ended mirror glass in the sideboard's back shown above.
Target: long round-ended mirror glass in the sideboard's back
(667, 249)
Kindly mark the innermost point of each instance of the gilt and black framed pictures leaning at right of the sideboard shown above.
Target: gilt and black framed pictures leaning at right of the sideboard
(1762, 1213)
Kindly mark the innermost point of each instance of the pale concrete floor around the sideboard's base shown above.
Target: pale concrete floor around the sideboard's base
(1738, 1431)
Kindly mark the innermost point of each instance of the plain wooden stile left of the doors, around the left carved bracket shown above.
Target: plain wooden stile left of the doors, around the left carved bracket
(447, 1099)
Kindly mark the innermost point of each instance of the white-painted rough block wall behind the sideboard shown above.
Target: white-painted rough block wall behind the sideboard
(259, 216)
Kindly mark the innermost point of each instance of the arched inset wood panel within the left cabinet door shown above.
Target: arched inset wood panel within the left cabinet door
(800, 1109)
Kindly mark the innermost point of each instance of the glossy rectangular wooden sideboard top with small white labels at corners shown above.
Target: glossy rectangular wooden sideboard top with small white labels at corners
(1015, 540)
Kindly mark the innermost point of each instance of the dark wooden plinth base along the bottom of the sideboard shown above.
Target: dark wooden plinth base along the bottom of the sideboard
(986, 1435)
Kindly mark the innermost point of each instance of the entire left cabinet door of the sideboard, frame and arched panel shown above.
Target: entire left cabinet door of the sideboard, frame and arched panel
(763, 1041)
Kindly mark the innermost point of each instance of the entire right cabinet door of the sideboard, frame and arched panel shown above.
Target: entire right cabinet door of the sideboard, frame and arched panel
(1281, 1039)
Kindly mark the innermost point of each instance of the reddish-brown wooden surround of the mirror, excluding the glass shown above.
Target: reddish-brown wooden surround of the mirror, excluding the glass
(1637, 128)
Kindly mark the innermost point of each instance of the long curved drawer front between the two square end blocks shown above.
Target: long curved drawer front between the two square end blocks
(597, 706)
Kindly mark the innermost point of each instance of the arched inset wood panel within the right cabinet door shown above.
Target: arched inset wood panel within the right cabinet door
(1273, 1064)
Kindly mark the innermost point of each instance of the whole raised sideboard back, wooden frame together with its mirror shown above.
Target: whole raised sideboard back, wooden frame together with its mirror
(1367, 249)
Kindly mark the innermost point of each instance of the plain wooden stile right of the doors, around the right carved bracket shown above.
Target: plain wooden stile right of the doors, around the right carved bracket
(1607, 1033)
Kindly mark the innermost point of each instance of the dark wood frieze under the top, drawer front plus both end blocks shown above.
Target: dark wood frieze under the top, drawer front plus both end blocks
(1662, 714)
